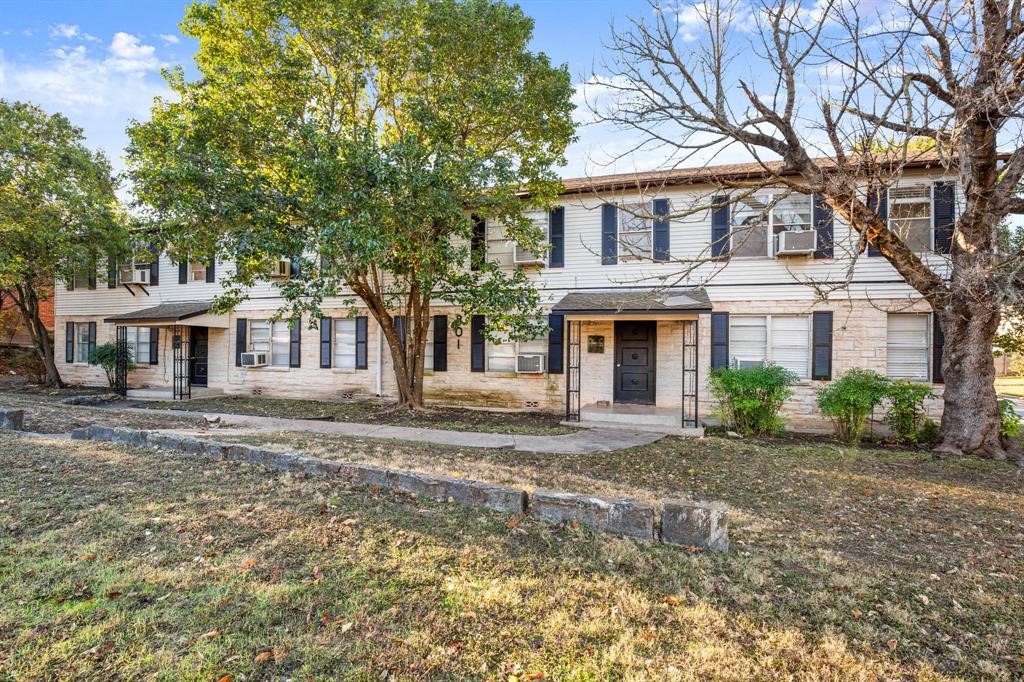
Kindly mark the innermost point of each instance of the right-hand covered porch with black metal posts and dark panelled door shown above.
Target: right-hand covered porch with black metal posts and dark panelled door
(632, 358)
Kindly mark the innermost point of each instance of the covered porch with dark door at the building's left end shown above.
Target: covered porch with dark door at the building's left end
(188, 329)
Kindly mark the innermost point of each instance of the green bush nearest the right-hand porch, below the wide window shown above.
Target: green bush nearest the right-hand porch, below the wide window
(752, 398)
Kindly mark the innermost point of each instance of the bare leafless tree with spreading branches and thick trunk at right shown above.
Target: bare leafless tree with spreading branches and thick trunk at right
(833, 103)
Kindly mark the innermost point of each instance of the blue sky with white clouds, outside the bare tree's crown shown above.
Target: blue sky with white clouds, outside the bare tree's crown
(100, 63)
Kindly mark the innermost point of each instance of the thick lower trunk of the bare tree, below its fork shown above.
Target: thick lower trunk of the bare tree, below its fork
(970, 416)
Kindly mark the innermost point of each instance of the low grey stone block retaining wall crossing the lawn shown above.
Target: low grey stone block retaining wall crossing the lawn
(688, 524)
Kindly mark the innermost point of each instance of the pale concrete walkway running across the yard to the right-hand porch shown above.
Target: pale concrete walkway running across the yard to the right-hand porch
(584, 442)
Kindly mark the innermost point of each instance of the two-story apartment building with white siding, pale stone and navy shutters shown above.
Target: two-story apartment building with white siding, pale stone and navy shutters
(641, 308)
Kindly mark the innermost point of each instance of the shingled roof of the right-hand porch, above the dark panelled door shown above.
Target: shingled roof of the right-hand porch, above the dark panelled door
(631, 303)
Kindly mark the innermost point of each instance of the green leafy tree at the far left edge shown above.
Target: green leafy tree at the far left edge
(59, 214)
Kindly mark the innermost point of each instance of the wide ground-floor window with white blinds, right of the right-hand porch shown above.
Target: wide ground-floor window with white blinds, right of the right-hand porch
(782, 340)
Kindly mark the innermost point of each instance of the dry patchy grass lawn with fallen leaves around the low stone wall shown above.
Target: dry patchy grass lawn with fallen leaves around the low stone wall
(129, 564)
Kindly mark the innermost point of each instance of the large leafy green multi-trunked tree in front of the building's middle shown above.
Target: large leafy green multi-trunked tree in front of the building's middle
(357, 139)
